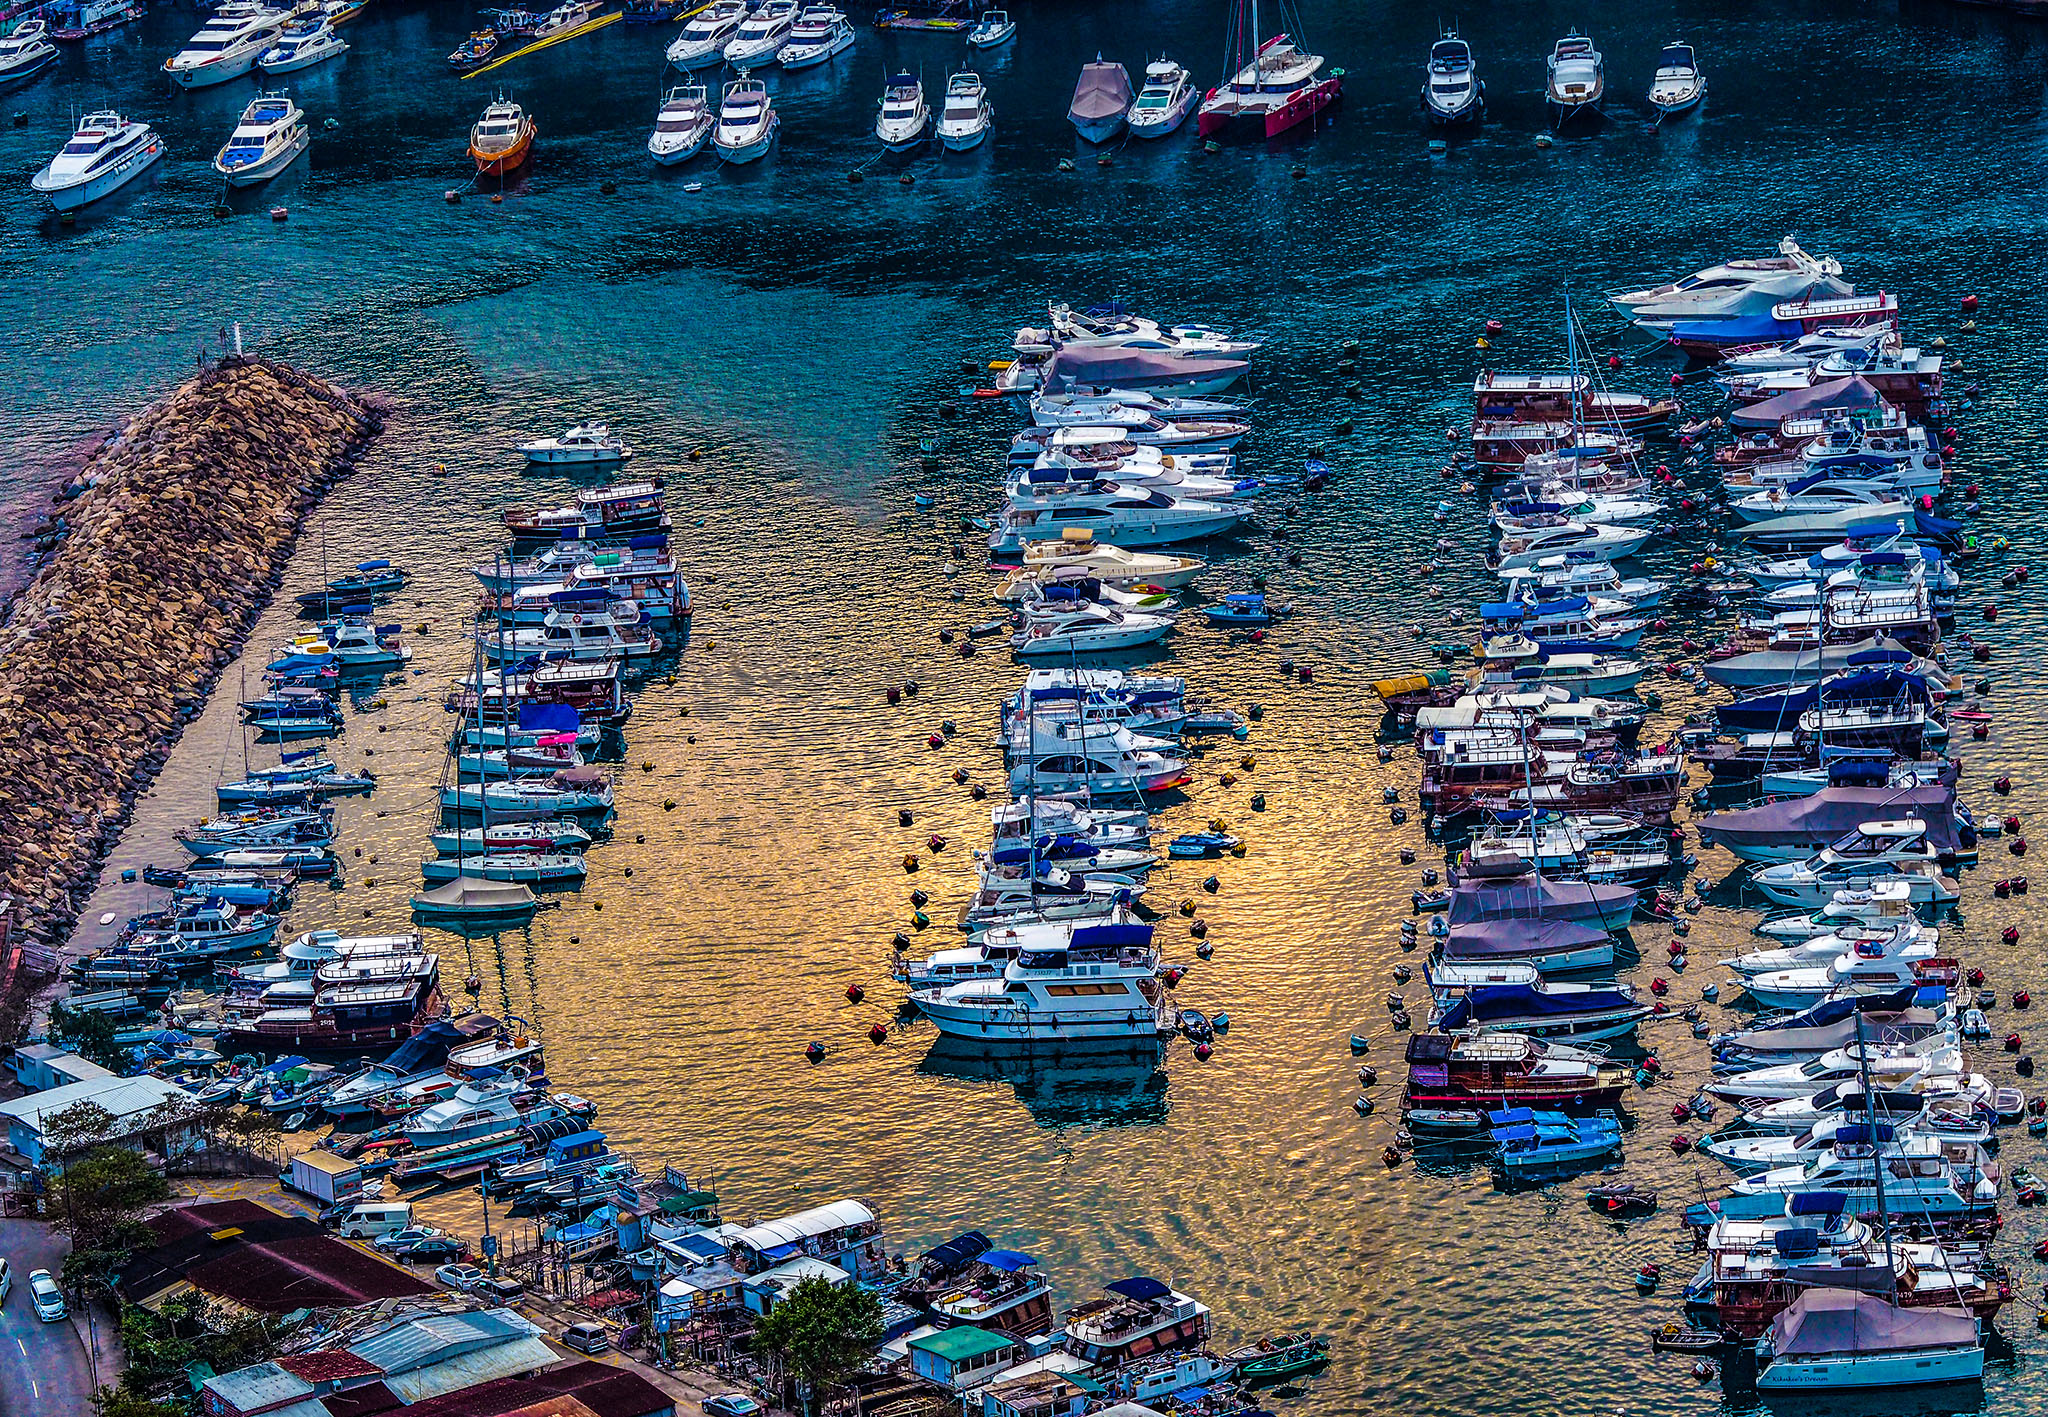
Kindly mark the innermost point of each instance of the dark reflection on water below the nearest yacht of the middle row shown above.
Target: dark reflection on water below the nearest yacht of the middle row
(1119, 1084)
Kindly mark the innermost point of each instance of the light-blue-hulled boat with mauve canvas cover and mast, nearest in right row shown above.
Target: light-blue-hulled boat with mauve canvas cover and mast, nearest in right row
(1838, 1338)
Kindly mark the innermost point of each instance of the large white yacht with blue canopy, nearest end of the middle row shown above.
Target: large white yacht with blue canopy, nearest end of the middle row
(1058, 992)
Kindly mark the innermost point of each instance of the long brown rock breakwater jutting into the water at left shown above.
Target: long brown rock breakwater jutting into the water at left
(173, 540)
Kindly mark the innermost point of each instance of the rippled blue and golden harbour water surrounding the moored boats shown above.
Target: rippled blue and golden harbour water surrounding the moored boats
(798, 335)
